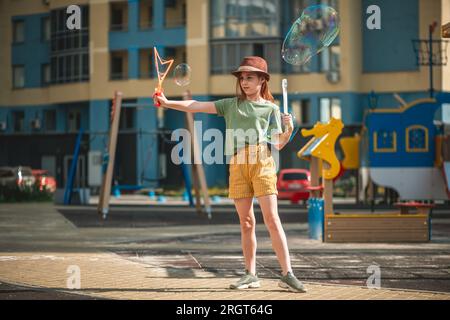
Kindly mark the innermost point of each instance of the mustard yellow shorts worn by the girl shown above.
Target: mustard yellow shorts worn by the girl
(252, 173)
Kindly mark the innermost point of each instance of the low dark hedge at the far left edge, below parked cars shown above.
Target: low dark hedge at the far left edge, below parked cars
(24, 194)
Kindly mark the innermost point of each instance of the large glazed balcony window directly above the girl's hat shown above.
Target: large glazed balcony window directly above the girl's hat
(244, 28)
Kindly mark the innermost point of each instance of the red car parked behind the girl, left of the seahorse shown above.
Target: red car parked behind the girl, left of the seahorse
(292, 184)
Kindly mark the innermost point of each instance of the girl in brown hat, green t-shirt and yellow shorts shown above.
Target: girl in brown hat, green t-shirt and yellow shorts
(252, 167)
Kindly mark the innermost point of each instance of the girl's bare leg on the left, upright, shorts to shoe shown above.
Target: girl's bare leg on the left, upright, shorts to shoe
(247, 220)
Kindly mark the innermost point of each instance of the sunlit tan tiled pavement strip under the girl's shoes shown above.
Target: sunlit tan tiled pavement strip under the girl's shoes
(107, 275)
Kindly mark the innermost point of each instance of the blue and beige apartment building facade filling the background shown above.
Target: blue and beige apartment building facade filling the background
(56, 82)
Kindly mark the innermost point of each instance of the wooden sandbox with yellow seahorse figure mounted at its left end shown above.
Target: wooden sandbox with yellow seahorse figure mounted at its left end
(330, 226)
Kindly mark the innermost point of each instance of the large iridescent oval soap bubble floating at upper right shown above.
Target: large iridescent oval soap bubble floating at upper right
(315, 30)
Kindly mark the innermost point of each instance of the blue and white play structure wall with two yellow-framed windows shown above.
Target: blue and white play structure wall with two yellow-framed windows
(402, 149)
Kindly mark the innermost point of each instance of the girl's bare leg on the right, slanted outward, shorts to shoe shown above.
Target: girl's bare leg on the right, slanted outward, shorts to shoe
(269, 208)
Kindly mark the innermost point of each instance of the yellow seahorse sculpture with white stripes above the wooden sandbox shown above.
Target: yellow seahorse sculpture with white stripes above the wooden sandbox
(322, 146)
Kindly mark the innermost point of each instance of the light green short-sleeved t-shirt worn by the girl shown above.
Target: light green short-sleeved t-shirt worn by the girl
(248, 122)
